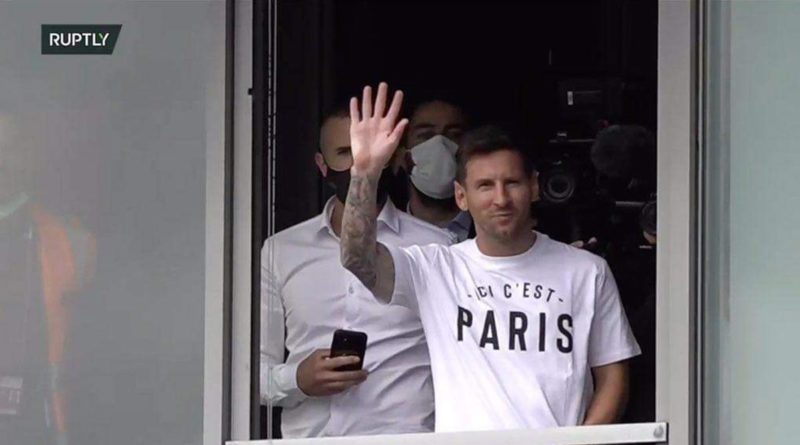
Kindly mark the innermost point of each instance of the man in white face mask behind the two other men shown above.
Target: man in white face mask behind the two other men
(435, 128)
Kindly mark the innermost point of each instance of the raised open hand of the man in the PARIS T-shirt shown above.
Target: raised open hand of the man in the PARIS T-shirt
(373, 135)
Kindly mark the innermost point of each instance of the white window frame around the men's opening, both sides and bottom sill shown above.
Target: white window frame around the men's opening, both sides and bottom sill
(676, 283)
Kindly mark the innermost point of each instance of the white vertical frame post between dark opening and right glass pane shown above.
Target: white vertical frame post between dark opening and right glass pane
(676, 257)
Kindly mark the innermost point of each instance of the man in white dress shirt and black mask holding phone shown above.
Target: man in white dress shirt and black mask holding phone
(306, 295)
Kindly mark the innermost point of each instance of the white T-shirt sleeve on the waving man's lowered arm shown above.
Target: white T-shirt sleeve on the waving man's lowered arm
(611, 338)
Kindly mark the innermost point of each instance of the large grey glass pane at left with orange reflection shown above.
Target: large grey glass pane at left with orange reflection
(102, 224)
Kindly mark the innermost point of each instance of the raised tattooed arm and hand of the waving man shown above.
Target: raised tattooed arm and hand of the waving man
(373, 138)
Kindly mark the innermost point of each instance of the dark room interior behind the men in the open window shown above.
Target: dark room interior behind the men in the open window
(553, 73)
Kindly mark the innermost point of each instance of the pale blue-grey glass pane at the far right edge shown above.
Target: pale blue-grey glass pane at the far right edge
(750, 376)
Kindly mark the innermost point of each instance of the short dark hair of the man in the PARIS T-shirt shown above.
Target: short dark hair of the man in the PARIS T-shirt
(483, 141)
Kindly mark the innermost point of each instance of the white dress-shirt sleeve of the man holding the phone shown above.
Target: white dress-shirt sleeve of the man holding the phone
(278, 380)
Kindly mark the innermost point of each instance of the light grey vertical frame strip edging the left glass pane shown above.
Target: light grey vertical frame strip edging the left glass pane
(218, 253)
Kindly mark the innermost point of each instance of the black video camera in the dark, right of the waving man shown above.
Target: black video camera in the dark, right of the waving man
(602, 187)
